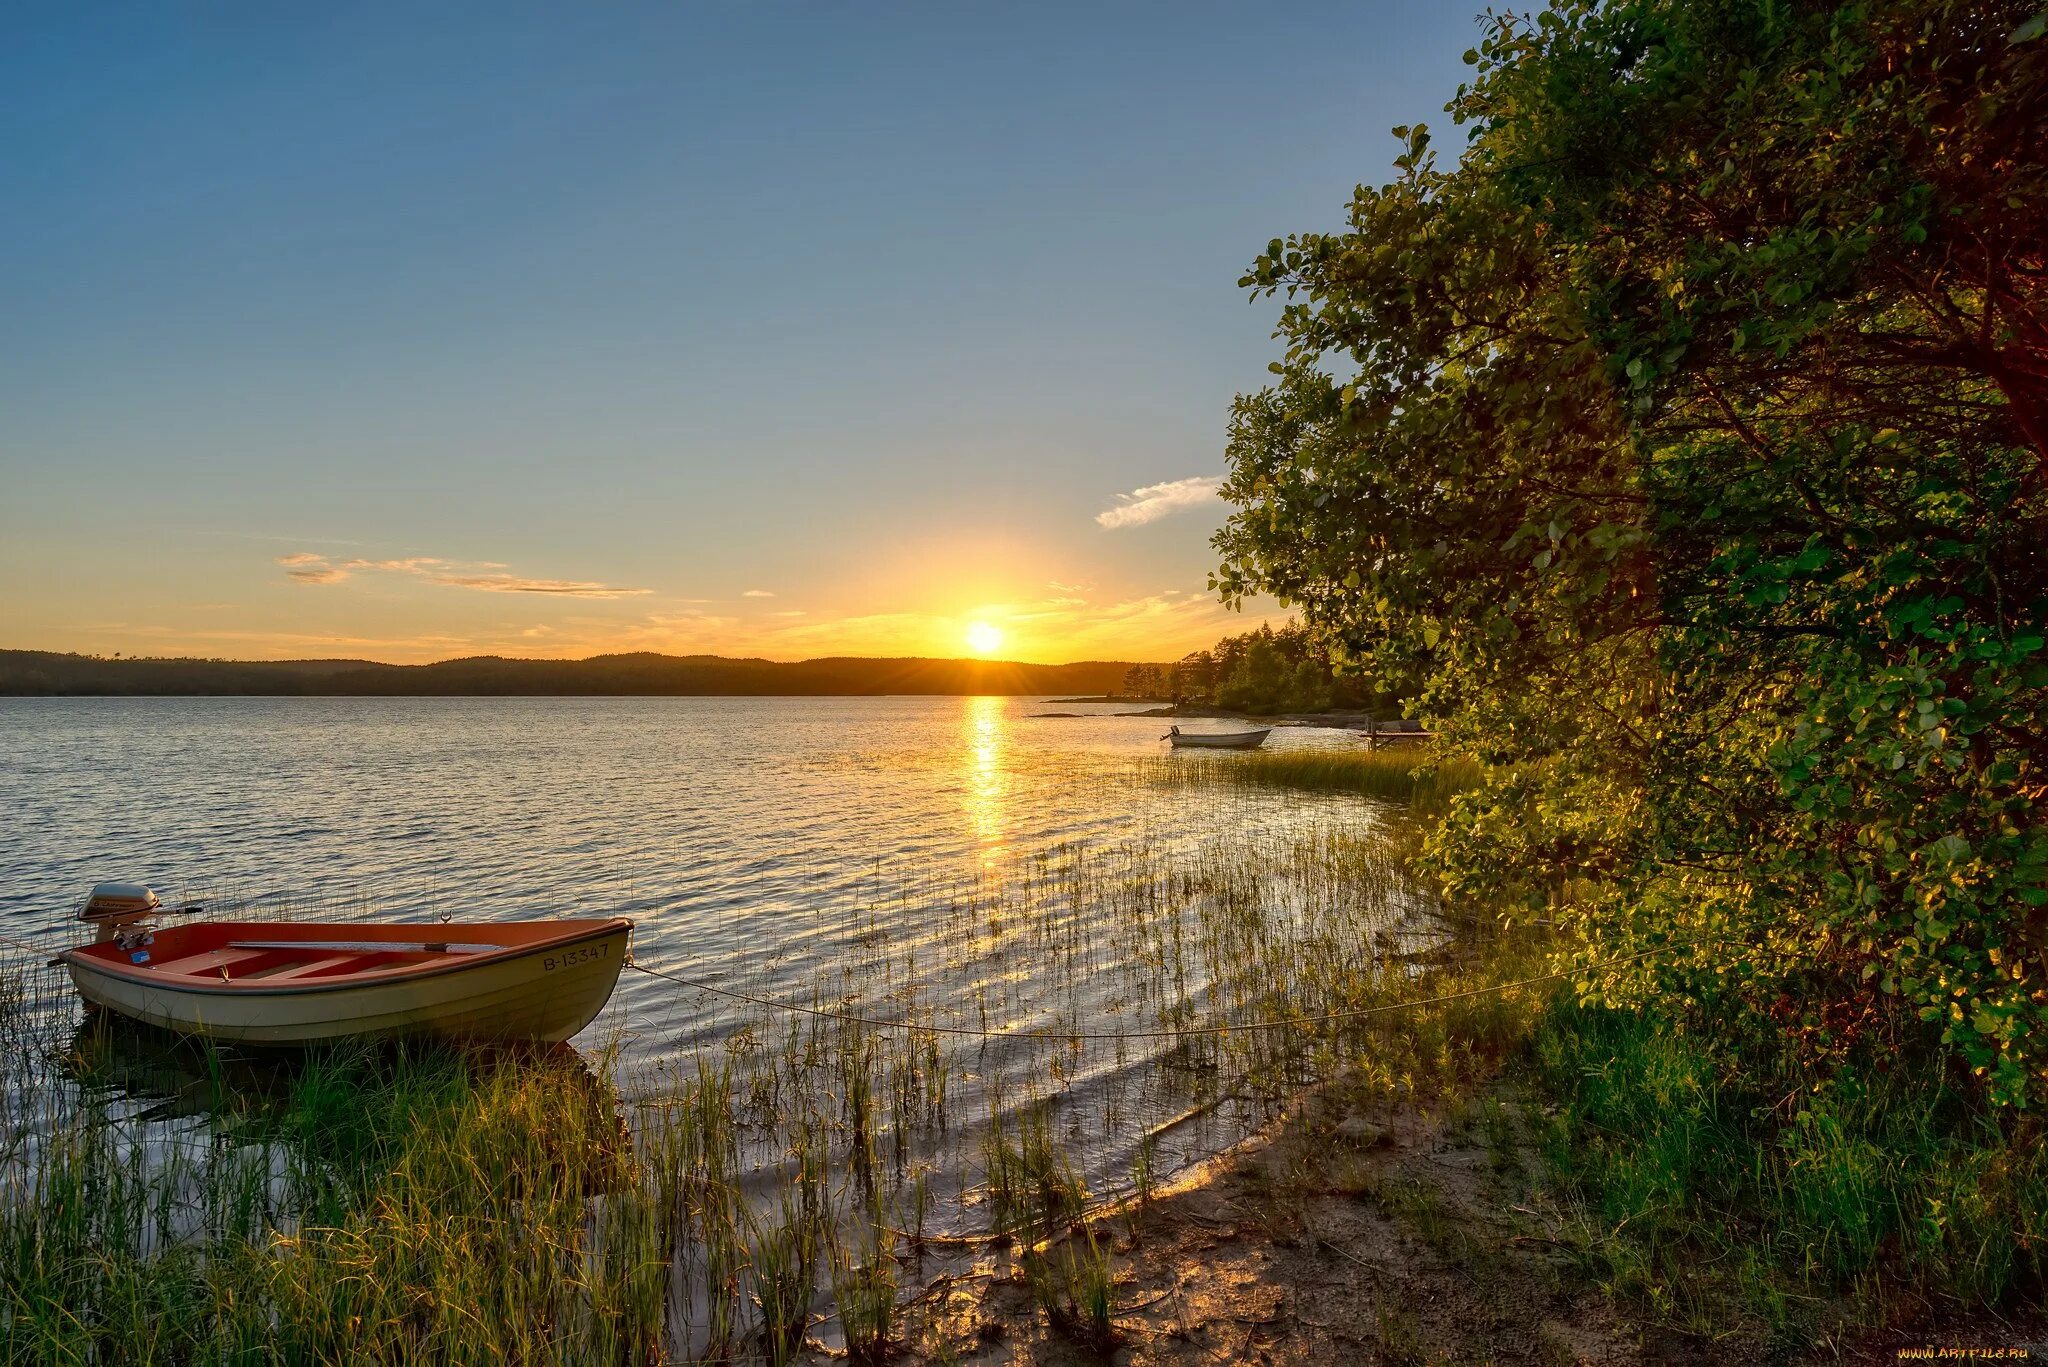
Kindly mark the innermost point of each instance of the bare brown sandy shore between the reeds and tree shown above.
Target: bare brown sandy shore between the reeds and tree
(1361, 1231)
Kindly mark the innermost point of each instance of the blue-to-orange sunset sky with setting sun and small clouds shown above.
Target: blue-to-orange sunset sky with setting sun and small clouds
(742, 329)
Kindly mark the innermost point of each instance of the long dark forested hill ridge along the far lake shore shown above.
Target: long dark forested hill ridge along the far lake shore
(48, 673)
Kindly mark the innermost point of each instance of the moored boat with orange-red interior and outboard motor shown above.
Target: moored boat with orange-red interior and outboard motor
(323, 983)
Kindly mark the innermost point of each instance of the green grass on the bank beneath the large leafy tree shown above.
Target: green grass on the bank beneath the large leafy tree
(1719, 1182)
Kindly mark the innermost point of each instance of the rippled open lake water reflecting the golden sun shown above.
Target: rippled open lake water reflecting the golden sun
(949, 858)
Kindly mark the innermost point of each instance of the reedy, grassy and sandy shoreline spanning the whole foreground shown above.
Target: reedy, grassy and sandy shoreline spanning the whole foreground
(1422, 1182)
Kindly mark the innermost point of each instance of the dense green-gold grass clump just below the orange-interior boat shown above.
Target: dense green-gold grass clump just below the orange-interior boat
(382, 1210)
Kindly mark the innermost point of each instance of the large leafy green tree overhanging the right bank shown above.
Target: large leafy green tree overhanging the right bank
(1684, 448)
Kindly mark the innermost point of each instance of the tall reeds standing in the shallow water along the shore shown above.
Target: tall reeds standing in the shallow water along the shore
(755, 1198)
